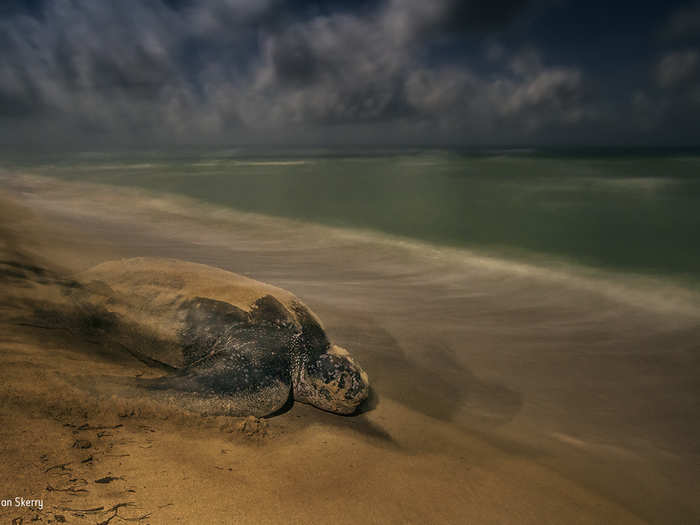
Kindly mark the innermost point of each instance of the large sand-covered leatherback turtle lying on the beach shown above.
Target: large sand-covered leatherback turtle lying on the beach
(230, 344)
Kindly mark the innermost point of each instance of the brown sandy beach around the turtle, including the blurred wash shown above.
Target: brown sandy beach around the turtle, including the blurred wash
(503, 393)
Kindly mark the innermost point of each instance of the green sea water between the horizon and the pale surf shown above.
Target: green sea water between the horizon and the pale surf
(636, 212)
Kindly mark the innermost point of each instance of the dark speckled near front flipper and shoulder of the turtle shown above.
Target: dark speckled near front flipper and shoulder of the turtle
(236, 362)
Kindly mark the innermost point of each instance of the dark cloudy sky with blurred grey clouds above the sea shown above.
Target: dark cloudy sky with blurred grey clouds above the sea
(160, 73)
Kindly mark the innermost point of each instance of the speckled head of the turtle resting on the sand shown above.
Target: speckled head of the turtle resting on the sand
(332, 382)
